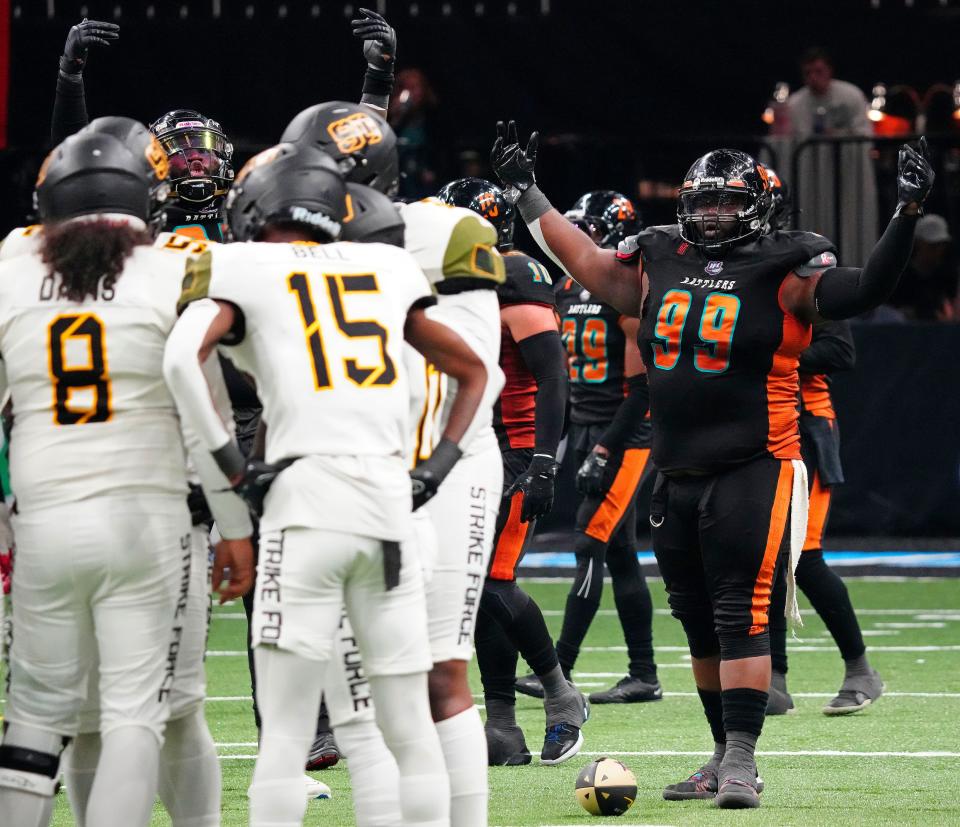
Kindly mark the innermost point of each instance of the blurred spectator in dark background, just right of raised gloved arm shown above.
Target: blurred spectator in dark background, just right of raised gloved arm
(411, 112)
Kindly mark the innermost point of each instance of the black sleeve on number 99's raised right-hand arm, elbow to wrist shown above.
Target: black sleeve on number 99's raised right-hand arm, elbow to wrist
(844, 292)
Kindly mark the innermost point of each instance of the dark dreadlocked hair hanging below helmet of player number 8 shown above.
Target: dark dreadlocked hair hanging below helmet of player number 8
(86, 253)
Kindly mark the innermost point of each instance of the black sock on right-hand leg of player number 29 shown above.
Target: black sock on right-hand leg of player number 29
(635, 610)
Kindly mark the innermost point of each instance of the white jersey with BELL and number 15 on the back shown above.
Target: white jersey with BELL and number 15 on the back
(320, 329)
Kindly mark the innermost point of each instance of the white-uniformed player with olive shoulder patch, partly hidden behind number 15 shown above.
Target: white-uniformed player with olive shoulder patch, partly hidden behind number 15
(456, 249)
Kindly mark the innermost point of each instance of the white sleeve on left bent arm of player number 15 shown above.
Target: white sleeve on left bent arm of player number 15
(186, 378)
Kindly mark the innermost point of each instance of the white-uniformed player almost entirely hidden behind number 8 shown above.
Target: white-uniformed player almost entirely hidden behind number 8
(190, 778)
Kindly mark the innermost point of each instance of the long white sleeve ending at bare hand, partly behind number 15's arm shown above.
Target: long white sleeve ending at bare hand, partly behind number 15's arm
(229, 511)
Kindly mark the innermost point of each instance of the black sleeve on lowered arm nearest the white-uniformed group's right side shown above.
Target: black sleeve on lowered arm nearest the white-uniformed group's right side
(544, 354)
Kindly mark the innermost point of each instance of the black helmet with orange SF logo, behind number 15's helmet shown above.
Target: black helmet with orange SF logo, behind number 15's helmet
(361, 142)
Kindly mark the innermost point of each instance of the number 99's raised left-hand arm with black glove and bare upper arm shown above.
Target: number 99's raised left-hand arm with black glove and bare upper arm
(596, 269)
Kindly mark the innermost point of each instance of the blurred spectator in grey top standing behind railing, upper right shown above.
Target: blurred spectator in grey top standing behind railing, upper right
(833, 108)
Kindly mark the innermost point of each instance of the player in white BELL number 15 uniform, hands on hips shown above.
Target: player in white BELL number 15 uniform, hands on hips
(336, 525)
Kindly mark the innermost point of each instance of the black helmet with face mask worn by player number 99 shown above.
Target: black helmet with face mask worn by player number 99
(725, 200)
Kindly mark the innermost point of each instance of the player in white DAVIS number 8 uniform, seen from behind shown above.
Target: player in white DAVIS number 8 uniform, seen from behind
(103, 548)
